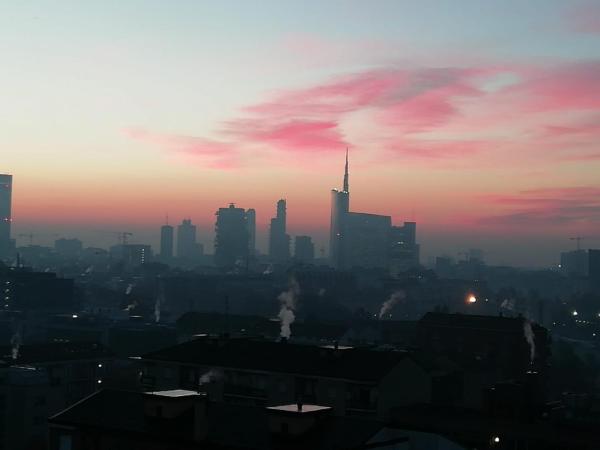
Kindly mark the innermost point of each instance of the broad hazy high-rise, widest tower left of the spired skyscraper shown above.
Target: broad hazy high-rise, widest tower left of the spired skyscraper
(231, 237)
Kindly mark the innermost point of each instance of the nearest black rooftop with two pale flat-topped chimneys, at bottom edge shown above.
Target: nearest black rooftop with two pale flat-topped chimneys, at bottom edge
(182, 420)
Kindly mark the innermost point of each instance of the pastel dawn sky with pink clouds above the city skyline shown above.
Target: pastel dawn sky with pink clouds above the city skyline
(479, 120)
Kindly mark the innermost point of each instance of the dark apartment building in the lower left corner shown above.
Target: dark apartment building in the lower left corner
(42, 380)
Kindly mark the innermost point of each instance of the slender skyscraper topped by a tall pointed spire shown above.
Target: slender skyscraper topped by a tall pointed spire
(340, 206)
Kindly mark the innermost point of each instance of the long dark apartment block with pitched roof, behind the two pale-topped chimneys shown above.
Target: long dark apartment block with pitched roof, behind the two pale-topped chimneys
(352, 381)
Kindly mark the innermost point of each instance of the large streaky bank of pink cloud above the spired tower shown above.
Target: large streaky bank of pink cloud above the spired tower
(547, 114)
